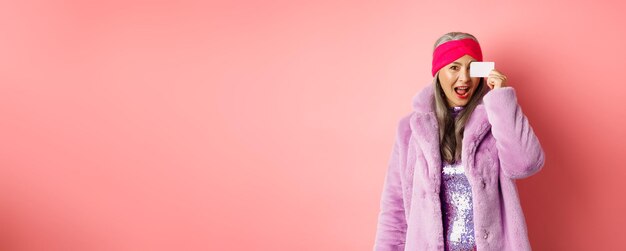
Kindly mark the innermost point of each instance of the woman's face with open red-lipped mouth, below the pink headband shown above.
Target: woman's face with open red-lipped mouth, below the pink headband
(454, 77)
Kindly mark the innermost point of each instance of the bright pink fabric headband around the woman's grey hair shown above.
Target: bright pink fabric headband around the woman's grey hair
(452, 50)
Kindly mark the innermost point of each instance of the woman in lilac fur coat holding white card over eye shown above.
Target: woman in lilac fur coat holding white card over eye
(450, 183)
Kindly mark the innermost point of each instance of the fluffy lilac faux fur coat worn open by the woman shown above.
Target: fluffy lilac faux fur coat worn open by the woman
(499, 146)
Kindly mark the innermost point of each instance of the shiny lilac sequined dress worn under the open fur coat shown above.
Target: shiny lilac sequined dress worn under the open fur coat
(456, 204)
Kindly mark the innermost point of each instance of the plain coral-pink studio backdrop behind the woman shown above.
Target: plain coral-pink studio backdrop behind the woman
(171, 125)
